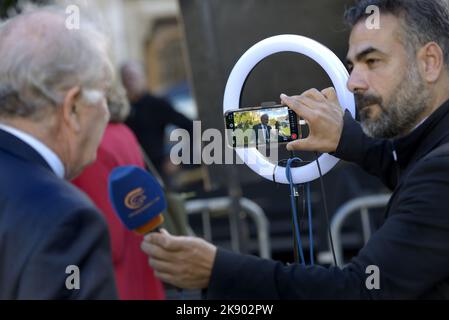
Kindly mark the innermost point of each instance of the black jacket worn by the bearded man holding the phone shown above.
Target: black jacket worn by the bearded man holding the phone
(411, 248)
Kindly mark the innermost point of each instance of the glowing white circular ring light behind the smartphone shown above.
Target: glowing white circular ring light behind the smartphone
(287, 43)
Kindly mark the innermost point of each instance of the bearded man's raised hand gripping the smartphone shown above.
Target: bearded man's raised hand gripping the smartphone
(323, 114)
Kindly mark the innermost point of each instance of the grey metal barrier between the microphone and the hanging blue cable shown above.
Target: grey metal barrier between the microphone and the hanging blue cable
(207, 206)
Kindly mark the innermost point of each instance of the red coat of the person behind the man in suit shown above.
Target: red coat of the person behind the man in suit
(134, 277)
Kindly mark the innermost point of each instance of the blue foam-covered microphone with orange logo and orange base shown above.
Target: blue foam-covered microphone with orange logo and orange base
(137, 198)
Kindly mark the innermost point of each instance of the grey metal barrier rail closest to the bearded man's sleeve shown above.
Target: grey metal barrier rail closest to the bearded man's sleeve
(361, 204)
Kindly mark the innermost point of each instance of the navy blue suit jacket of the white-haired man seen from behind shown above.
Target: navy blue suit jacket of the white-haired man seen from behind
(46, 224)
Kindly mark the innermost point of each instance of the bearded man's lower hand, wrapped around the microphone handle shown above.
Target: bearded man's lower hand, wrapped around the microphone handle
(185, 262)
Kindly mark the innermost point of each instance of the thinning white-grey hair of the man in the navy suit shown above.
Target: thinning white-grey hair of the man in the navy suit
(41, 59)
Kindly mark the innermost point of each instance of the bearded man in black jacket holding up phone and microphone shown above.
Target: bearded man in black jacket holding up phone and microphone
(400, 78)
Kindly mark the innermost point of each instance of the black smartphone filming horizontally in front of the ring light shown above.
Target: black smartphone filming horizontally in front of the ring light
(261, 126)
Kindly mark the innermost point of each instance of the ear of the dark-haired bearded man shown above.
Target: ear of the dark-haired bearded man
(431, 61)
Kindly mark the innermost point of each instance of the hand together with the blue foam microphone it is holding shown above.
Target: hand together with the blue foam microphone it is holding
(138, 200)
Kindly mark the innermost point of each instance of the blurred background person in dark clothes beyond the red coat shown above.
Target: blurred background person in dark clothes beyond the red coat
(150, 115)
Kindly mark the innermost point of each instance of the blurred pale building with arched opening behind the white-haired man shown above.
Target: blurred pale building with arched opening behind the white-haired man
(147, 31)
